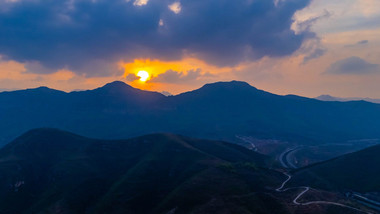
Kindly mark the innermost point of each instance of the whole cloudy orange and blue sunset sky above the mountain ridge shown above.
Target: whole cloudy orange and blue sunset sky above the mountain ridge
(303, 47)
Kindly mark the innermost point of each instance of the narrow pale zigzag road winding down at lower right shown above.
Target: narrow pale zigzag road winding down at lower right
(306, 189)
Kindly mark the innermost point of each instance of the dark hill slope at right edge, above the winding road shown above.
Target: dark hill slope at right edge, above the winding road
(358, 171)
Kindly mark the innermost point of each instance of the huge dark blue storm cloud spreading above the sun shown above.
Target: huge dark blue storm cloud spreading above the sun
(72, 34)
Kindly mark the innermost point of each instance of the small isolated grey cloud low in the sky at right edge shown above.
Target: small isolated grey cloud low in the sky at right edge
(353, 65)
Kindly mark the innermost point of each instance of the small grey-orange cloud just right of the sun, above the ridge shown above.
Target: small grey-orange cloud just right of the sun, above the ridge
(171, 76)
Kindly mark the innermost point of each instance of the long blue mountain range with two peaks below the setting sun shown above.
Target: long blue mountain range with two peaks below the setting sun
(216, 111)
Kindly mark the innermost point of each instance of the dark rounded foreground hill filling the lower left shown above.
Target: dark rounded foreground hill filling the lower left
(51, 171)
